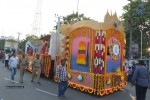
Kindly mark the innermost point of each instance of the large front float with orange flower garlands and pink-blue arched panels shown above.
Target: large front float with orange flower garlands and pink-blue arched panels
(95, 55)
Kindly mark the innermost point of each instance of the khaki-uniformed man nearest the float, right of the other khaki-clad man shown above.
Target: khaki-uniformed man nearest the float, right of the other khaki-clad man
(36, 67)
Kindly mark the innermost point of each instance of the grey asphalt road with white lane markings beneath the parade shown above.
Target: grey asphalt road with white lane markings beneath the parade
(47, 90)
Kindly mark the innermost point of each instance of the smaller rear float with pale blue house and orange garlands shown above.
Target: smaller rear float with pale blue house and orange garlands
(39, 47)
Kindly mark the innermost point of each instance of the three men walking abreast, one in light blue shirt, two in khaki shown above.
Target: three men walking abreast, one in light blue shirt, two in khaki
(21, 64)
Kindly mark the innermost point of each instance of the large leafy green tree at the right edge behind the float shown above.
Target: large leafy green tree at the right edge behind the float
(137, 23)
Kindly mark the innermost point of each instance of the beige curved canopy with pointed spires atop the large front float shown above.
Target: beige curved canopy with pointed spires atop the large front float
(110, 21)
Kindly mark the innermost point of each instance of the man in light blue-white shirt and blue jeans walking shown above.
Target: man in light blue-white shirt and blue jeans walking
(13, 63)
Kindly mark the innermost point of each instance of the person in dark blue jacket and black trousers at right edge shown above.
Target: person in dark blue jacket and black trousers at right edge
(141, 80)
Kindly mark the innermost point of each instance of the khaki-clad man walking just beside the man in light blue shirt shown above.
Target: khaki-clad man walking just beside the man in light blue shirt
(23, 62)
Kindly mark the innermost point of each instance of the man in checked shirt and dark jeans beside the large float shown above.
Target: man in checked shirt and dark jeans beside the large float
(61, 73)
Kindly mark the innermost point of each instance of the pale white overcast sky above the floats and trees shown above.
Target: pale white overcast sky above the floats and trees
(18, 15)
